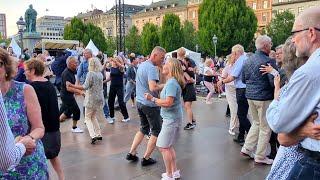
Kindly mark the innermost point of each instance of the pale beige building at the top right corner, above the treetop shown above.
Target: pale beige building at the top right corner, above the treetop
(294, 6)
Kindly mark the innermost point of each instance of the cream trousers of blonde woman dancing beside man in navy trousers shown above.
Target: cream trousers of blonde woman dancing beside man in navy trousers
(232, 101)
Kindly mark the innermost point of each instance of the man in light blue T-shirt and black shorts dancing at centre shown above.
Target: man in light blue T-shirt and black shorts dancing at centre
(147, 79)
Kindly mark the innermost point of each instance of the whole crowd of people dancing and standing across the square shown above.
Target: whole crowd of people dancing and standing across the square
(272, 98)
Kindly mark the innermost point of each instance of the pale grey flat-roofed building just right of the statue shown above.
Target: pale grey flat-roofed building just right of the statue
(51, 27)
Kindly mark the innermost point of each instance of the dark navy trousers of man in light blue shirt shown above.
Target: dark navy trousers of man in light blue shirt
(242, 113)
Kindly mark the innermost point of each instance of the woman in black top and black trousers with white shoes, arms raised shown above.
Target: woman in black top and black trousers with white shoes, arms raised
(117, 89)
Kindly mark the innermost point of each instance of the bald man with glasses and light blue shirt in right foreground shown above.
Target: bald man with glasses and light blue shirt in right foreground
(301, 97)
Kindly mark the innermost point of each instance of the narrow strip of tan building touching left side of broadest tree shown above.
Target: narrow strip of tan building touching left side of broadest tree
(193, 12)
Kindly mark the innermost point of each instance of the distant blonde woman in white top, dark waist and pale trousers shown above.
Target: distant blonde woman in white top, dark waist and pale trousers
(208, 79)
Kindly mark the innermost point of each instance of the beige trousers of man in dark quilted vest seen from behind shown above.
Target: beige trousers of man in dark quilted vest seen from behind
(259, 133)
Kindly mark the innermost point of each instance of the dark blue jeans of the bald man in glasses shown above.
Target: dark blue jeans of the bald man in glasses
(307, 168)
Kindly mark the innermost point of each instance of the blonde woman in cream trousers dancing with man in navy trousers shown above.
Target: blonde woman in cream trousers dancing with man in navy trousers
(231, 95)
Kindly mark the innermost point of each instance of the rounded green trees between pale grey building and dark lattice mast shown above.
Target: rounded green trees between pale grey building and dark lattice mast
(77, 30)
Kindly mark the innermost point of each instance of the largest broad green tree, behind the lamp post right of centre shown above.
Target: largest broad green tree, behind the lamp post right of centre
(230, 20)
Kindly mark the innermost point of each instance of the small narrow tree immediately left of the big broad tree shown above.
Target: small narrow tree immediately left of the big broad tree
(189, 35)
